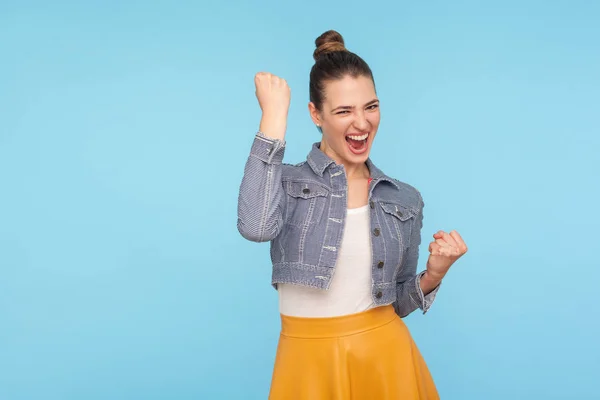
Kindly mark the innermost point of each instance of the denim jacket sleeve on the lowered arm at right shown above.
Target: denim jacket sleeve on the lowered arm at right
(408, 284)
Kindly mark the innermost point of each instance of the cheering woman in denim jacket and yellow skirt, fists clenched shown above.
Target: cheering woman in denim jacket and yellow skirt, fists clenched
(344, 242)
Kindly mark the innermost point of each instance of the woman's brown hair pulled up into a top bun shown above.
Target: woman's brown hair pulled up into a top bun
(332, 62)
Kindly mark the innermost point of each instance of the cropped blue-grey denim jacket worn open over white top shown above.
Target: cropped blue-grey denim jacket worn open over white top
(301, 210)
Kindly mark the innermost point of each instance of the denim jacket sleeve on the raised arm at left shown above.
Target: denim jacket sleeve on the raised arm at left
(261, 199)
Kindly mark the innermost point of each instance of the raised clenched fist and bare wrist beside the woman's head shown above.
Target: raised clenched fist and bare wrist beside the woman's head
(273, 94)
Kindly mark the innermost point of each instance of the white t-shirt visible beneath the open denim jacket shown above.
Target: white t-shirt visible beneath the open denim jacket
(350, 290)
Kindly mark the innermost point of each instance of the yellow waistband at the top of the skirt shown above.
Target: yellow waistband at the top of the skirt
(304, 327)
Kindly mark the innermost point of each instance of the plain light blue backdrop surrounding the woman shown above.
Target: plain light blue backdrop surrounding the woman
(124, 129)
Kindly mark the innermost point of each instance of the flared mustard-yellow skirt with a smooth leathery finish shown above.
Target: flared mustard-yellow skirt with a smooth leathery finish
(369, 355)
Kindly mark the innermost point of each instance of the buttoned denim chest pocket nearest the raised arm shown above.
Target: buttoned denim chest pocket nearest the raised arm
(305, 202)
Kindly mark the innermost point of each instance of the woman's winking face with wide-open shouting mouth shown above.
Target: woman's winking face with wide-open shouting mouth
(349, 119)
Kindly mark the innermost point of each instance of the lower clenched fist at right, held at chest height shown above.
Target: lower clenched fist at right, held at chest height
(444, 251)
